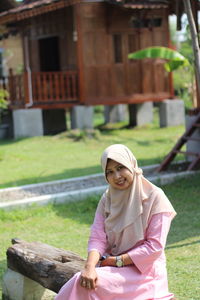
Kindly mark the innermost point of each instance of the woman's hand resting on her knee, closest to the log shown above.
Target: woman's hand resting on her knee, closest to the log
(88, 278)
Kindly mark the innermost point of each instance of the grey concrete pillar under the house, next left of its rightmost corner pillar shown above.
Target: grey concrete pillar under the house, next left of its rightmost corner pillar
(140, 114)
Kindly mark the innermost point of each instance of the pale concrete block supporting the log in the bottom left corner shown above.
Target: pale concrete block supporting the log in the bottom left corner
(18, 287)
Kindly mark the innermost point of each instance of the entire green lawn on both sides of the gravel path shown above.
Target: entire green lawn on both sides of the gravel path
(72, 154)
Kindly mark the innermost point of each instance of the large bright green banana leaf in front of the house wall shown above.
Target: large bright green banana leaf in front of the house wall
(175, 59)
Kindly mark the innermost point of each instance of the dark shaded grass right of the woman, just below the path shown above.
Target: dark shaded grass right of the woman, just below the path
(184, 196)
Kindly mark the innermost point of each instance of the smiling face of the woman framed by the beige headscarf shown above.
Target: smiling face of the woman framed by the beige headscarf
(118, 176)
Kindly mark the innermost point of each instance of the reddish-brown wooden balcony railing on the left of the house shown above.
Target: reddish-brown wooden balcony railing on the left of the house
(42, 89)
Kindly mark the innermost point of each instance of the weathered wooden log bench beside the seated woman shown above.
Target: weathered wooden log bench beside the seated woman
(49, 266)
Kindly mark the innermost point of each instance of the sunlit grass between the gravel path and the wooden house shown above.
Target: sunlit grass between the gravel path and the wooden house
(73, 153)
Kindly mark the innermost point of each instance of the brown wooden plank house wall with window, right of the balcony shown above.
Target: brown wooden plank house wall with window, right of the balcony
(108, 75)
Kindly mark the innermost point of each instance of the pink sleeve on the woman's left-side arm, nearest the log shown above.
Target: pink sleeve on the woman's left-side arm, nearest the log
(97, 240)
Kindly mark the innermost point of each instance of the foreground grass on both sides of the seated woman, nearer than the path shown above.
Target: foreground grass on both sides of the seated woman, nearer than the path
(68, 227)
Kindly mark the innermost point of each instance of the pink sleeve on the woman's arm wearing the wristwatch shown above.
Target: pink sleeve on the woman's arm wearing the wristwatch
(144, 255)
